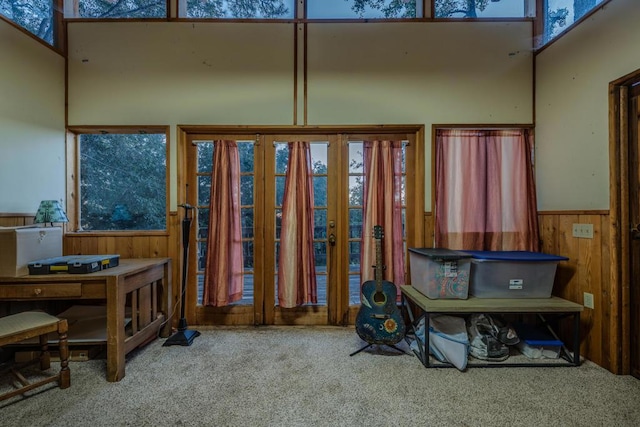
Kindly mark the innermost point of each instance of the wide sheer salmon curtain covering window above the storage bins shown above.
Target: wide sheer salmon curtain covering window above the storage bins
(485, 190)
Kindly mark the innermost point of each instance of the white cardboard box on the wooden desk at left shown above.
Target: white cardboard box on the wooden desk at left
(20, 245)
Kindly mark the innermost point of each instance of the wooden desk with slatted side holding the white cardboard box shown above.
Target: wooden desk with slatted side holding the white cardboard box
(142, 284)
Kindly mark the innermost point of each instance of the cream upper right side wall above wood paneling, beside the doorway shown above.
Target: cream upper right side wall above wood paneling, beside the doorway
(572, 128)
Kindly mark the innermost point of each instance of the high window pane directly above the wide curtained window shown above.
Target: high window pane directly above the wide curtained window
(480, 8)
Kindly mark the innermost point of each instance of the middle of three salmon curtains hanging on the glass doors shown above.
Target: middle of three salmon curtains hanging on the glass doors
(296, 263)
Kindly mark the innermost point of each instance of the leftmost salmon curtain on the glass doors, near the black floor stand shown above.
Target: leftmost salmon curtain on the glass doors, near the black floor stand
(224, 276)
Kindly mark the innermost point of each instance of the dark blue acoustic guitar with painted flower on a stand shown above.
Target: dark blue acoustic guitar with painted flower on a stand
(379, 320)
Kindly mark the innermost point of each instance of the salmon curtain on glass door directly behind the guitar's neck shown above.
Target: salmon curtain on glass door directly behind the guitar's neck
(383, 206)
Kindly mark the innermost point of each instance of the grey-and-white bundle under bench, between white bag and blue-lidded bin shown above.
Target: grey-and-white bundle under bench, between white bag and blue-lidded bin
(483, 343)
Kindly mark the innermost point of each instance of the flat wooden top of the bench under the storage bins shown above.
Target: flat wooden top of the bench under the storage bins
(490, 305)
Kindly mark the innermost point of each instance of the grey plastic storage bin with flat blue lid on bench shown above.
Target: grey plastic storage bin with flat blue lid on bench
(512, 274)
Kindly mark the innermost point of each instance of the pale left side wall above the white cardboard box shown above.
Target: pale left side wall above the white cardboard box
(32, 132)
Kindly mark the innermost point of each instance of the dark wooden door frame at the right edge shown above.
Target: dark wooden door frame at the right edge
(619, 224)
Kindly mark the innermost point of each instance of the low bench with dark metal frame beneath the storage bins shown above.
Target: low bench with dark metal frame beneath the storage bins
(539, 306)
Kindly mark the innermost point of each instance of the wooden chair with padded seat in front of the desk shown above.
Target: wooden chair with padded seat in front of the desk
(18, 327)
